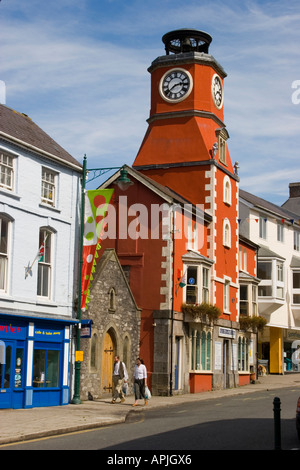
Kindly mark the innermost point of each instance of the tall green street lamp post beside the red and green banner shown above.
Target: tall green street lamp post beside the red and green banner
(123, 182)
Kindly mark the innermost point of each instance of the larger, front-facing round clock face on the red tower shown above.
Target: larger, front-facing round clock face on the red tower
(175, 85)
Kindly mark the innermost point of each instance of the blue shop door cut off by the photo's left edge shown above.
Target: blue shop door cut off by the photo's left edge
(6, 375)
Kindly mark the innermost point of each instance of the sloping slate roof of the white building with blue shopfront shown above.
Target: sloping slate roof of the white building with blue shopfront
(19, 128)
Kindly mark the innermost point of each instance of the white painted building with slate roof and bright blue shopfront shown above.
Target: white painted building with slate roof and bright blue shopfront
(39, 209)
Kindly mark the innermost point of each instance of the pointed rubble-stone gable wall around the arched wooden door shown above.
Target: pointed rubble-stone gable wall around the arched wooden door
(113, 311)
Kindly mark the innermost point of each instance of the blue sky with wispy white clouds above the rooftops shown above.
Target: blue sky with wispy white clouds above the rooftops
(79, 70)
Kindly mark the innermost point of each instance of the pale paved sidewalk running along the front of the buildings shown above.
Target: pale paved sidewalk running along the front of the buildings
(25, 424)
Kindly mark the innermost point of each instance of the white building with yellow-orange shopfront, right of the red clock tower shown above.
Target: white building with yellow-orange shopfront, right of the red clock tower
(276, 231)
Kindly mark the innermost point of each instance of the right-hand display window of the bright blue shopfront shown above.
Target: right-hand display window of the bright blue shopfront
(46, 368)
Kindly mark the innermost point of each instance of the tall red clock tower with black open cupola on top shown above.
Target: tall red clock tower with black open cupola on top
(185, 149)
